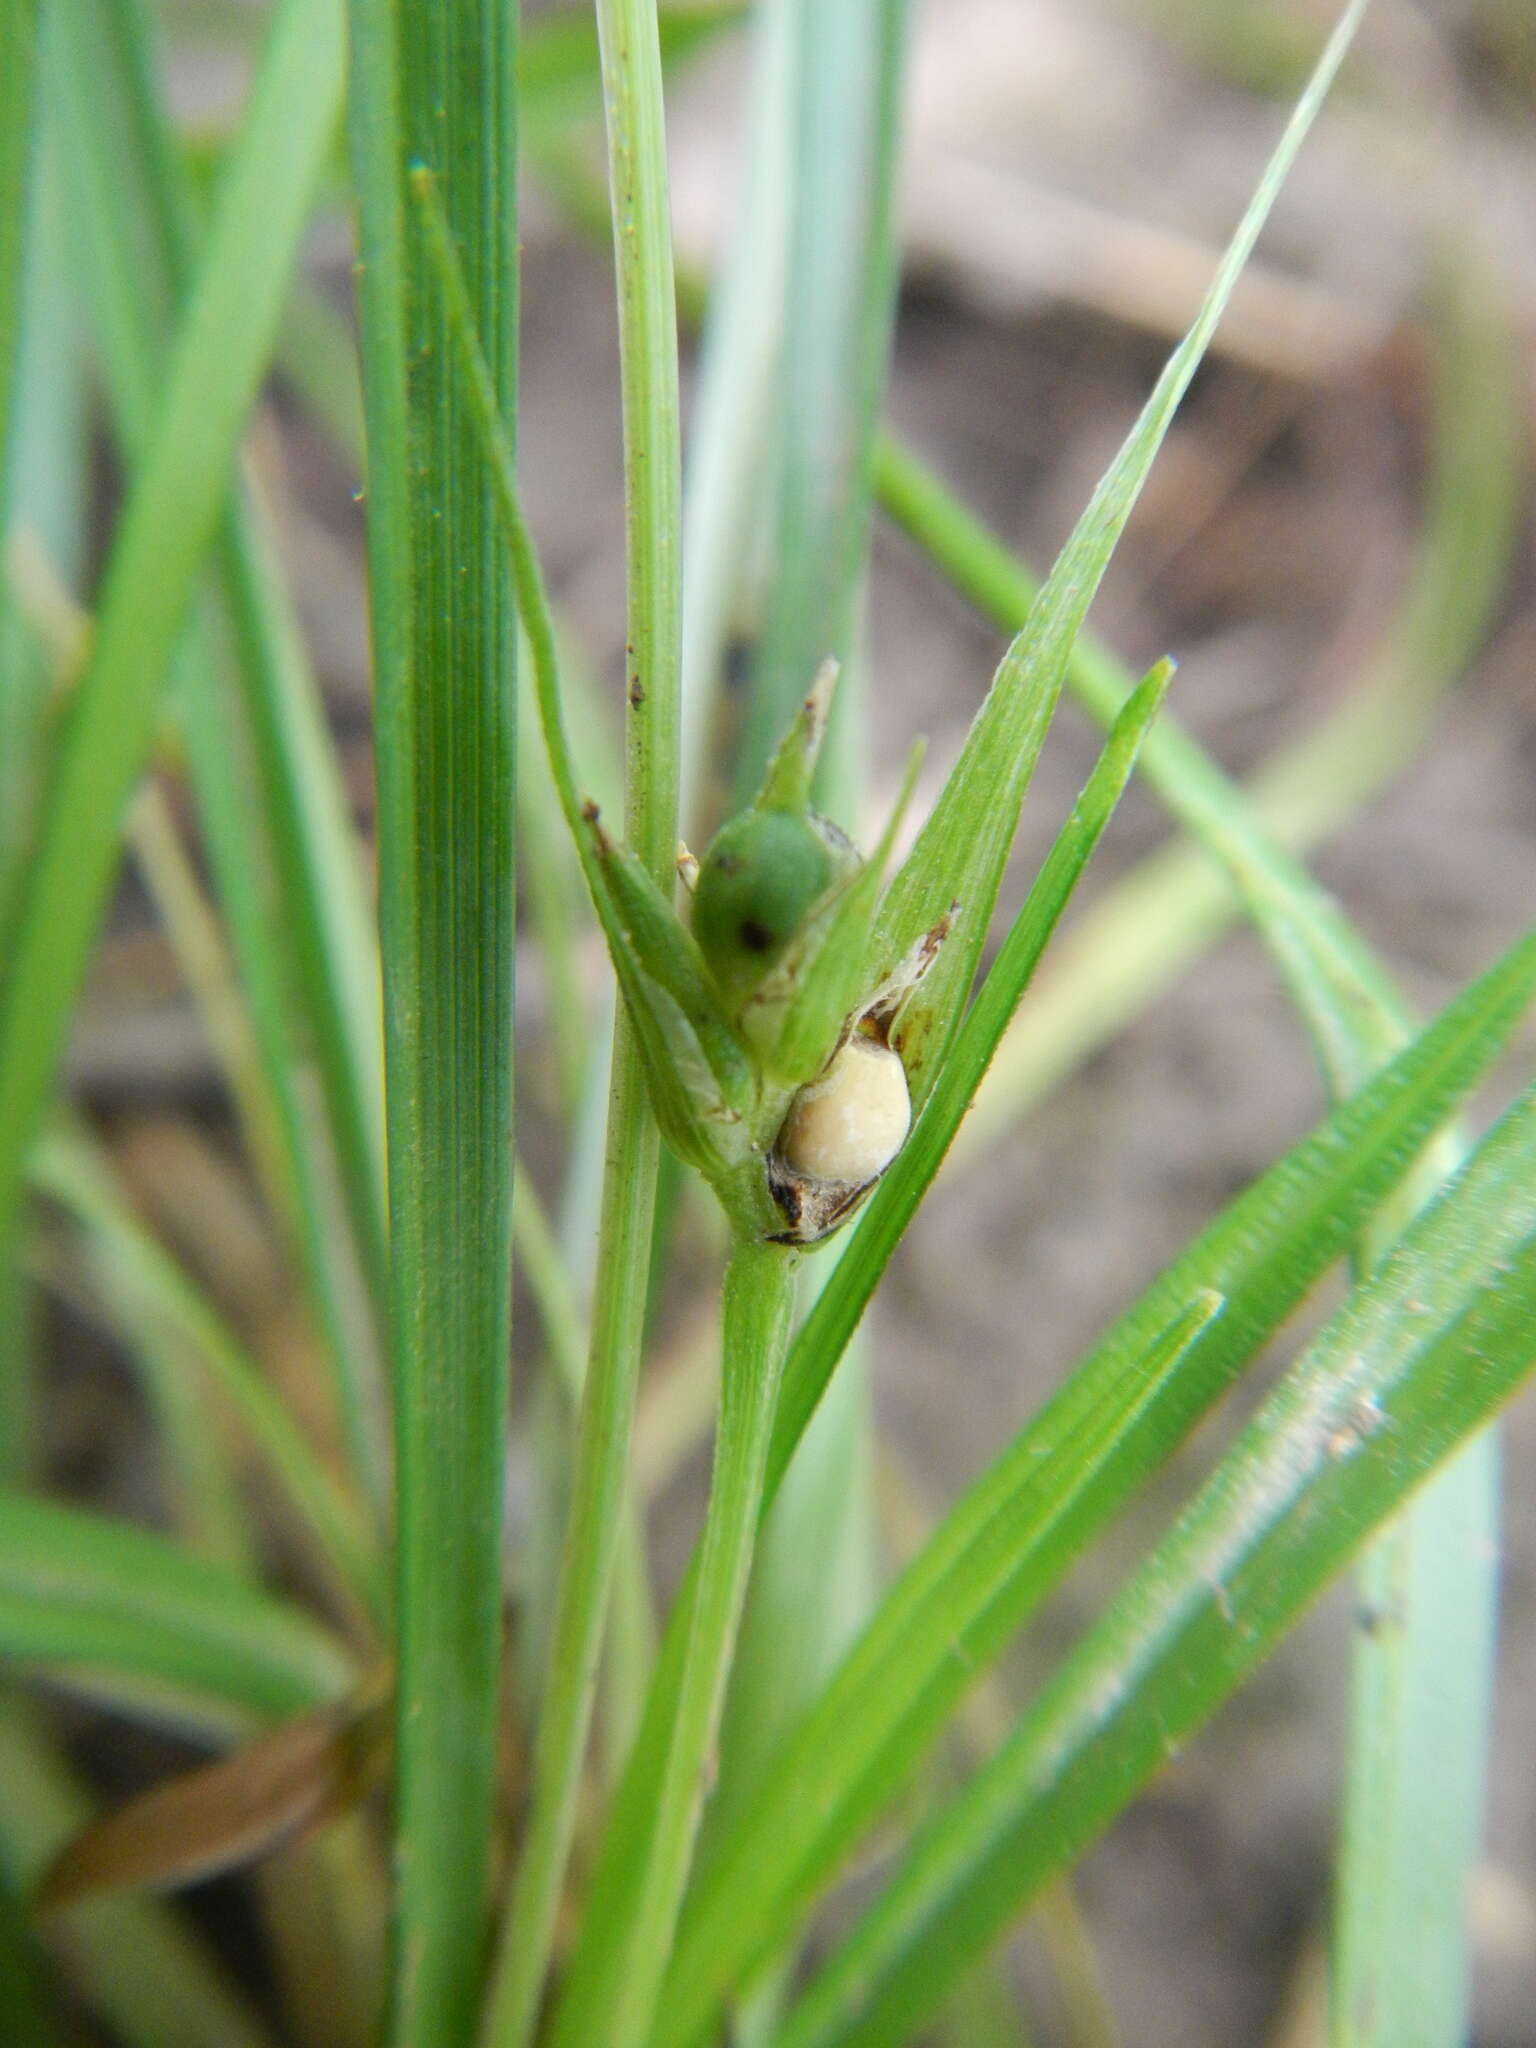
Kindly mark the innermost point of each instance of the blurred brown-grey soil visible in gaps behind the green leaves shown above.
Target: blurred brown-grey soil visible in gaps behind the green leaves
(1072, 171)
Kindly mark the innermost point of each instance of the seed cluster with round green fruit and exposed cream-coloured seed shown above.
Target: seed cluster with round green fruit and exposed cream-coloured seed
(765, 1025)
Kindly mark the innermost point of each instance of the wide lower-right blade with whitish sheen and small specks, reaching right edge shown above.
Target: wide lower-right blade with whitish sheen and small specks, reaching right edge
(1414, 1363)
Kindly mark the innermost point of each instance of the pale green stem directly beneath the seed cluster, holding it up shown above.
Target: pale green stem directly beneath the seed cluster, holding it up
(755, 1338)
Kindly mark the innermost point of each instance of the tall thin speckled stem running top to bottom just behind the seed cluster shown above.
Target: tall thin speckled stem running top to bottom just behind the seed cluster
(648, 343)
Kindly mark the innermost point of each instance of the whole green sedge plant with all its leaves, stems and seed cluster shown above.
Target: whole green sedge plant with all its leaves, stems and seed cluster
(800, 1033)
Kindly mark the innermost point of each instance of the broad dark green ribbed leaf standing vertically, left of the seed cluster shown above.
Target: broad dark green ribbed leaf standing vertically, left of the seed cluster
(437, 89)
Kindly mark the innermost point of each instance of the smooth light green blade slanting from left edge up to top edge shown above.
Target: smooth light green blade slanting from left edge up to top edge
(159, 552)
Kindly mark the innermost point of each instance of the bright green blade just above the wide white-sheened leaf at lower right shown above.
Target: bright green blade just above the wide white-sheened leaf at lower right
(1050, 1494)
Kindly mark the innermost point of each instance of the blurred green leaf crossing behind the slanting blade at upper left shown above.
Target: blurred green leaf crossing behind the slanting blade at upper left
(267, 794)
